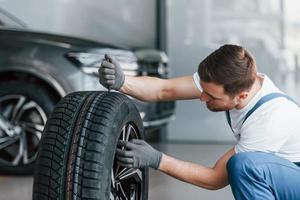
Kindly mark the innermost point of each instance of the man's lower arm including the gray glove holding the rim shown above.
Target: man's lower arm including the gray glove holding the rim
(139, 154)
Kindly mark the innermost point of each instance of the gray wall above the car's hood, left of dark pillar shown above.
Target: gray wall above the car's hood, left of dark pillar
(122, 22)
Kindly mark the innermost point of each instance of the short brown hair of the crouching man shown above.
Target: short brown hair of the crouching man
(231, 66)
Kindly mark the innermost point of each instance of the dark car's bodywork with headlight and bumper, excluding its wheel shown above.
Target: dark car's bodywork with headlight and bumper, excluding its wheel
(64, 64)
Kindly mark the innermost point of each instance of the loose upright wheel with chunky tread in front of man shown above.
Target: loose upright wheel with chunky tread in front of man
(76, 155)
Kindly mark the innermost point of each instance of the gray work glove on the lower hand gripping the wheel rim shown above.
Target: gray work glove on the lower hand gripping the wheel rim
(138, 154)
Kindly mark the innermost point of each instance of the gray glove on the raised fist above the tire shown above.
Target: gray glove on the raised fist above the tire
(111, 74)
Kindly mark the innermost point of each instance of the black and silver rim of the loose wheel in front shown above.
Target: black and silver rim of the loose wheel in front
(127, 183)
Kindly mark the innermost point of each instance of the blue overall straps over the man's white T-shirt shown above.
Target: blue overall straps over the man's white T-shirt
(260, 102)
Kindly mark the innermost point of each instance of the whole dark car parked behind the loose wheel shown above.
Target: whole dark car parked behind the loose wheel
(38, 69)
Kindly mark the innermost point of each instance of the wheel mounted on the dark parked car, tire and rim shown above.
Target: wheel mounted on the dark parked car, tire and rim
(25, 107)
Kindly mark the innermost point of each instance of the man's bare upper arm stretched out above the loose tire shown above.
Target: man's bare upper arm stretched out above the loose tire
(147, 88)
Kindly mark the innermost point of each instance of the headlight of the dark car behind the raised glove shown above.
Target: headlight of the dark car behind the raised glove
(89, 62)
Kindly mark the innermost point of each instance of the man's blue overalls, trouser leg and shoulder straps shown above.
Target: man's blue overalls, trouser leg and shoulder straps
(263, 176)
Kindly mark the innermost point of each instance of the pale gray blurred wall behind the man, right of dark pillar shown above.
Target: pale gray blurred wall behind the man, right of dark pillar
(197, 27)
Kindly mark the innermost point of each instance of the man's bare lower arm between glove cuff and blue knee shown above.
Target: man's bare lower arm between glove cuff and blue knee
(209, 178)
